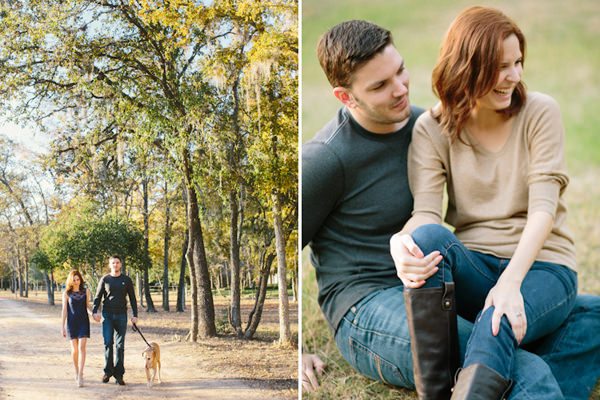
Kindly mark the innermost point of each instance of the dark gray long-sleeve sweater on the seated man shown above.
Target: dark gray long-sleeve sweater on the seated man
(355, 196)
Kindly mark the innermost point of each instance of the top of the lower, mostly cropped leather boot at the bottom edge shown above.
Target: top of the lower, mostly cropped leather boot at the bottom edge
(480, 382)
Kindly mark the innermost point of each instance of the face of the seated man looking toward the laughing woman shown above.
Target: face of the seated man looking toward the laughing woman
(378, 95)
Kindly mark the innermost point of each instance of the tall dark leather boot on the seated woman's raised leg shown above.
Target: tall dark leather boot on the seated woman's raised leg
(431, 315)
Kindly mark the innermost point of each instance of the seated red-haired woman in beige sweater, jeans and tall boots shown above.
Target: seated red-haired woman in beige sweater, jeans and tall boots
(511, 261)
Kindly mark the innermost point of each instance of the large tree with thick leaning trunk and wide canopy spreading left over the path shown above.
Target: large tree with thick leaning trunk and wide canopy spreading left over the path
(131, 82)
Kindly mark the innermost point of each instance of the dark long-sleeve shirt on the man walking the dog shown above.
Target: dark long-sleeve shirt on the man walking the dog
(114, 289)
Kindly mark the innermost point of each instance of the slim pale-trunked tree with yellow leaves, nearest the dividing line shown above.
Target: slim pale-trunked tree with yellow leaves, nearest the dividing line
(273, 153)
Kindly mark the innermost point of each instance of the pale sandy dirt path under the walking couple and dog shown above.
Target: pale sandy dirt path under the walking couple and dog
(35, 364)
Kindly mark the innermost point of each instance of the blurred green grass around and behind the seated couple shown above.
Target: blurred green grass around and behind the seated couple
(559, 61)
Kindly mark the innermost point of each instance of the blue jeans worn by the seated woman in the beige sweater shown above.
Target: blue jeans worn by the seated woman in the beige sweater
(548, 290)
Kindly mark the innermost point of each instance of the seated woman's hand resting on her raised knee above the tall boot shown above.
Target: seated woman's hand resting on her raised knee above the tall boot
(412, 266)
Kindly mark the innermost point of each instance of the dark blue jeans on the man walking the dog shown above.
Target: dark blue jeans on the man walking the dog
(114, 325)
